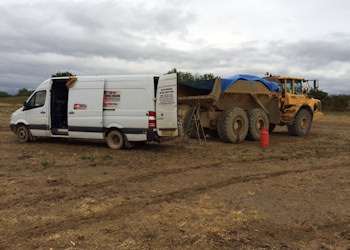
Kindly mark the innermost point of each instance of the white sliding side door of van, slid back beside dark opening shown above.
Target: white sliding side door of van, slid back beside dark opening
(85, 109)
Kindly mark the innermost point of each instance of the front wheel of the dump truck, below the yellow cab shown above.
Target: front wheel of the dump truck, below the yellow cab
(302, 124)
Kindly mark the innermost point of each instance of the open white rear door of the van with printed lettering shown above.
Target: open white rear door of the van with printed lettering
(166, 106)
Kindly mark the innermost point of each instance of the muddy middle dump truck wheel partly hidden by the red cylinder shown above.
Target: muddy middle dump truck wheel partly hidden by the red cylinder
(257, 121)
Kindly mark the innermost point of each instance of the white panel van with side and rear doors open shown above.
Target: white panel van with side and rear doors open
(120, 109)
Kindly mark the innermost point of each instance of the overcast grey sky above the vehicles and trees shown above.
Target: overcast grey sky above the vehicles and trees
(303, 38)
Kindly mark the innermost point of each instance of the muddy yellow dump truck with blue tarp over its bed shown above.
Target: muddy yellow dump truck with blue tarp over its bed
(238, 107)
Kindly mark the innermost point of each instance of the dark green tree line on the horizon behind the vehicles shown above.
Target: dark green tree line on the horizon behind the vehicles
(329, 102)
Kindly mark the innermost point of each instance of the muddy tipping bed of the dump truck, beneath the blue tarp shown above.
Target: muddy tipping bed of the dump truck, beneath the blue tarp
(244, 94)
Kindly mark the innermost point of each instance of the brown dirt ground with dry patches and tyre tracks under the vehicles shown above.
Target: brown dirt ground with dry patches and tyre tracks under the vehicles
(71, 194)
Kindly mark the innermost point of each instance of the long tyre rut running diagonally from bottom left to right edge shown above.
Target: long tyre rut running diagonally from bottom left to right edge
(127, 208)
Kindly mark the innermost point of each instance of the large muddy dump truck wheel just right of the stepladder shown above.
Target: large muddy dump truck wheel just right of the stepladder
(233, 125)
